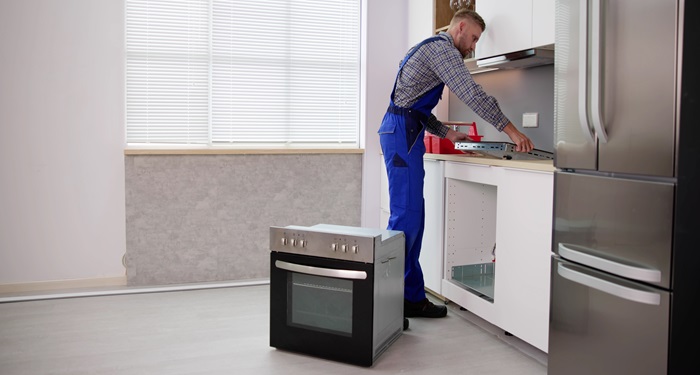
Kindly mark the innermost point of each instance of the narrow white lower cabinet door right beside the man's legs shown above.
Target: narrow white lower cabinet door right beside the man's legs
(431, 259)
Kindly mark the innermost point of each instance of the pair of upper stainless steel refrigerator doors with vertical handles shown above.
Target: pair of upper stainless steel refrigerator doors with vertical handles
(615, 86)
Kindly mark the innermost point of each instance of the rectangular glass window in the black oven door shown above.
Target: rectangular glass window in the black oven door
(320, 303)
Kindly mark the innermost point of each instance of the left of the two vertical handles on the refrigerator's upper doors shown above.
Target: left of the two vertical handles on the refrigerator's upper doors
(583, 72)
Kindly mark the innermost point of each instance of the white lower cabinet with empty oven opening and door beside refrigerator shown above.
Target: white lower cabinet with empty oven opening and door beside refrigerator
(509, 209)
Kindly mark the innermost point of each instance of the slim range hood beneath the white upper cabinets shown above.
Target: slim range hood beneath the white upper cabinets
(515, 60)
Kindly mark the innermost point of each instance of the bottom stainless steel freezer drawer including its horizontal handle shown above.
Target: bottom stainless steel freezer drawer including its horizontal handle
(601, 324)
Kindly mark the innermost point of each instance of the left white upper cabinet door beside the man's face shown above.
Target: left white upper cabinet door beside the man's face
(508, 26)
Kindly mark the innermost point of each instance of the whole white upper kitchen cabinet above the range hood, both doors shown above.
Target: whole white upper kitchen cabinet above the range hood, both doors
(514, 25)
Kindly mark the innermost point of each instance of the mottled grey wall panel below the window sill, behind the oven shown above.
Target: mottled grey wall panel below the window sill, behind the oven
(199, 218)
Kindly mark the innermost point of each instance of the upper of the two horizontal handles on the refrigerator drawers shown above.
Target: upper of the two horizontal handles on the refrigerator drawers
(624, 270)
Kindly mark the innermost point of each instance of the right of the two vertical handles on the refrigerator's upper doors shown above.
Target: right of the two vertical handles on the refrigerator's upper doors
(596, 67)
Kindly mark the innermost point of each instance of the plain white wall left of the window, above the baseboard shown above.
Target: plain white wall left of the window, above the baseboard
(62, 213)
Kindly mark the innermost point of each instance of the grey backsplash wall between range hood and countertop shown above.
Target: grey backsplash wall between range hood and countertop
(517, 91)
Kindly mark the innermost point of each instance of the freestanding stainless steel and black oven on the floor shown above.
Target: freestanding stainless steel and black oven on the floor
(336, 292)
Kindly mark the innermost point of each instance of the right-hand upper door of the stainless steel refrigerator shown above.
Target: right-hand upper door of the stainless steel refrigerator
(638, 92)
